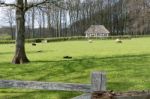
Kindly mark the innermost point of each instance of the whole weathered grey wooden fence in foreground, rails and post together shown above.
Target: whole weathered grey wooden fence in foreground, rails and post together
(98, 84)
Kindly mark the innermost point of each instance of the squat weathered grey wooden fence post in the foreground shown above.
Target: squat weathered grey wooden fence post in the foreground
(98, 81)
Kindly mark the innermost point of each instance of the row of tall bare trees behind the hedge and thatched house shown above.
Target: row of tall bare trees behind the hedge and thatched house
(73, 17)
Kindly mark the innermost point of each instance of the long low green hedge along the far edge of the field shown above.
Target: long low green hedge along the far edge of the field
(39, 40)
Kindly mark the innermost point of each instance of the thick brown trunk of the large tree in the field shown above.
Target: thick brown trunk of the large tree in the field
(20, 55)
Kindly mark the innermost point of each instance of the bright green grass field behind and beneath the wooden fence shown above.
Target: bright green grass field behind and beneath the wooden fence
(127, 66)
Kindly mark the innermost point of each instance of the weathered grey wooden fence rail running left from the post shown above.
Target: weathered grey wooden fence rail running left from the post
(45, 85)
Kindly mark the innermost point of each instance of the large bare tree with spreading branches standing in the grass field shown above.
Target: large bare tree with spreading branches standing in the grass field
(22, 6)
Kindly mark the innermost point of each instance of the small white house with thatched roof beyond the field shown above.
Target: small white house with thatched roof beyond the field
(97, 31)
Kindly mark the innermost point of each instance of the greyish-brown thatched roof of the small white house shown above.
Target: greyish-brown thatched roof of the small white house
(97, 29)
